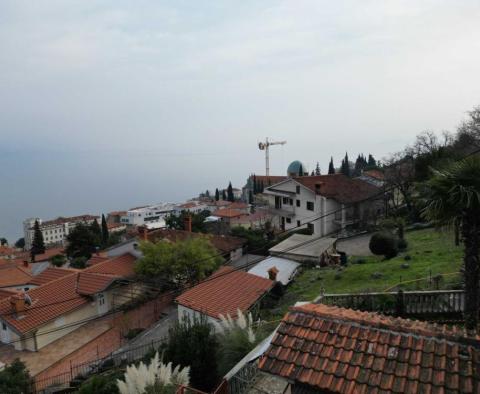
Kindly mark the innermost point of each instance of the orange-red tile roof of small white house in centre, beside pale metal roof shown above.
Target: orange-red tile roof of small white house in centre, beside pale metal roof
(224, 292)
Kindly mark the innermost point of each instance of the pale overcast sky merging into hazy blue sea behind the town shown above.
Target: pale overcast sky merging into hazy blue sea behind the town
(110, 104)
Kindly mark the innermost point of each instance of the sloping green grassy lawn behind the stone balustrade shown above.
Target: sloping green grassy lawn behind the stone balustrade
(431, 252)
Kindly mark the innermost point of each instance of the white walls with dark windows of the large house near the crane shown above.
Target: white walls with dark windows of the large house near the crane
(293, 205)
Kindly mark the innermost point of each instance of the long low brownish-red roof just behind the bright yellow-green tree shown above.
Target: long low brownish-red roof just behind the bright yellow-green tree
(223, 243)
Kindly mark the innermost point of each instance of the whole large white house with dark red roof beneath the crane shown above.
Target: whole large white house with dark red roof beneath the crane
(309, 201)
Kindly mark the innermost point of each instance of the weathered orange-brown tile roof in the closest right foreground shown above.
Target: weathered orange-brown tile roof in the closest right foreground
(345, 351)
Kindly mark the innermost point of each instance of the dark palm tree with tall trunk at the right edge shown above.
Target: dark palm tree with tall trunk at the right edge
(453, 196)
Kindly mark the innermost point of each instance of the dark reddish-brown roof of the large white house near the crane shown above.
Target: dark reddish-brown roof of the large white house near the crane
(339, 187)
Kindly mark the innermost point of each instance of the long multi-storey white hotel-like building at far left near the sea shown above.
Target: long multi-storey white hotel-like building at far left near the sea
(54, 231)
